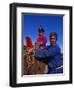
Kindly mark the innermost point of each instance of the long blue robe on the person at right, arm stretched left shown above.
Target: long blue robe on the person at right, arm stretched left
(57, 60)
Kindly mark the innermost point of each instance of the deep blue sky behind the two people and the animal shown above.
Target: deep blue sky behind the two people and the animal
(51, 23)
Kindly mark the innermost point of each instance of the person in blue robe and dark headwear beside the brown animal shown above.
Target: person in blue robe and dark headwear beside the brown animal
(52, 55)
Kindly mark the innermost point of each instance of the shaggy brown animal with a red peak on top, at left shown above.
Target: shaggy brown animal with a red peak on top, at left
(32, 65)
